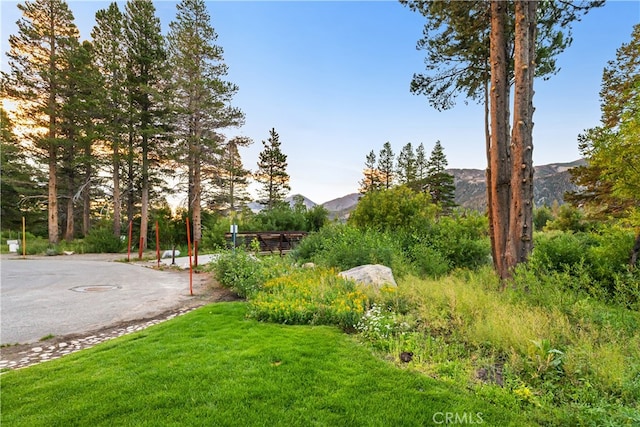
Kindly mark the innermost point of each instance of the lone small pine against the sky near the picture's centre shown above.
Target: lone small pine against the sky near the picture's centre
(272, 171)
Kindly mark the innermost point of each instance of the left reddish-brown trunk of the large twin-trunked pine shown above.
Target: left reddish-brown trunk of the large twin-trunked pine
(499, 151)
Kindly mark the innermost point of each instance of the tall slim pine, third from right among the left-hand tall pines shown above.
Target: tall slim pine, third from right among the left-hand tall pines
(109, 57)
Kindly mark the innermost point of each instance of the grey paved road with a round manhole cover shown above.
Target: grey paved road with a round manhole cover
(65, 295)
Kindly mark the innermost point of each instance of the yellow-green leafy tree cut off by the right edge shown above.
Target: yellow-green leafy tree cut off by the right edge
(610, 182)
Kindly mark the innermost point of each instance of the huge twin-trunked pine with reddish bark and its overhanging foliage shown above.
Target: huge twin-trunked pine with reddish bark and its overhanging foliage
(479, 48)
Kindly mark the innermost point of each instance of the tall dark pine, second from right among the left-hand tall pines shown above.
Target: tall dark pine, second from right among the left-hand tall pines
(146, 80)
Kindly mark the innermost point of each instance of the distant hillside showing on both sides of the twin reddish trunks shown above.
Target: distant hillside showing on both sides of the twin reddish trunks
(550, 182)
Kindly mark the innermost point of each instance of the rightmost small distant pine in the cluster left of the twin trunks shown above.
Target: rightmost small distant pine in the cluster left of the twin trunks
(440, 184)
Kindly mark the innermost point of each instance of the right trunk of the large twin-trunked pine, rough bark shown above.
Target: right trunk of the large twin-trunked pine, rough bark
(520, 243)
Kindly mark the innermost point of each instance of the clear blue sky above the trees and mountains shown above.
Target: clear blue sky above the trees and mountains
(332, 78)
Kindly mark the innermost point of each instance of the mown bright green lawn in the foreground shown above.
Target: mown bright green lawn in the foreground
(214, 367)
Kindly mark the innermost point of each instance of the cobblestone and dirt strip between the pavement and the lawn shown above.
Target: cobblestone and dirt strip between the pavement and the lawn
(16, 356)
